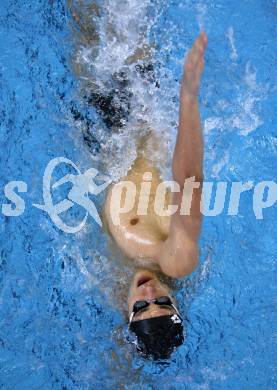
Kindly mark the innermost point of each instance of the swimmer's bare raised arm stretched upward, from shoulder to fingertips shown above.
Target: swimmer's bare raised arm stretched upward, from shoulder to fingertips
(179, 253)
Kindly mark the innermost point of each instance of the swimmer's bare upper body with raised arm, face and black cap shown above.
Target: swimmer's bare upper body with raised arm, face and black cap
(170, 243)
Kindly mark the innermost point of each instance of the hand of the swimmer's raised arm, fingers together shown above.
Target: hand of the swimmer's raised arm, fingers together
(194, 66)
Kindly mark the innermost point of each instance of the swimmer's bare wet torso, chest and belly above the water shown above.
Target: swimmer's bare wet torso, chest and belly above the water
(140, 236)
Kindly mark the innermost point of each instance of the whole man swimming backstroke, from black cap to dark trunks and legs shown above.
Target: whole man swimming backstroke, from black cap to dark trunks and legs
(155, 241)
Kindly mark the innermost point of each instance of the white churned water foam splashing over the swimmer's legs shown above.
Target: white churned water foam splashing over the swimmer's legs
(124, 29)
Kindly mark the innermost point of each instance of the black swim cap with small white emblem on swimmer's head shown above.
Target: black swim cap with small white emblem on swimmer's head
(157, 337)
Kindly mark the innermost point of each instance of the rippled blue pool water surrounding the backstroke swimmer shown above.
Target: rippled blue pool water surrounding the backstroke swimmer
(62, 296)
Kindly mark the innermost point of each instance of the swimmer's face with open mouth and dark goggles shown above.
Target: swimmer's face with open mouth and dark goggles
(146, 286)
